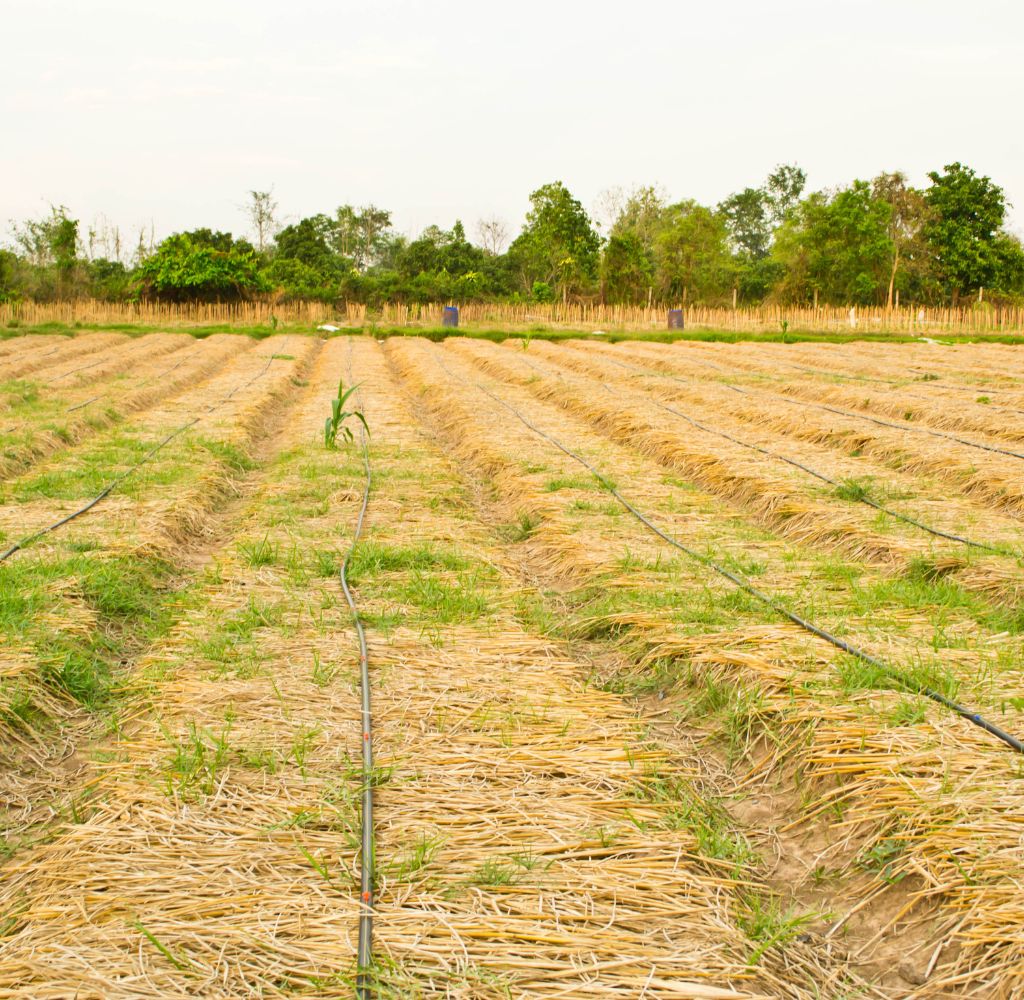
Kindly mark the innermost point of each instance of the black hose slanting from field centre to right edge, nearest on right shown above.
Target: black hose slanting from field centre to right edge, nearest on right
(748, 588)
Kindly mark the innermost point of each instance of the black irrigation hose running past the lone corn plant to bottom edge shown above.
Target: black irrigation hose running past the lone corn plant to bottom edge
(368, 854)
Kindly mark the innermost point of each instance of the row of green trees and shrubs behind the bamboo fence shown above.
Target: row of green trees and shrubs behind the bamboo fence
(876, 242)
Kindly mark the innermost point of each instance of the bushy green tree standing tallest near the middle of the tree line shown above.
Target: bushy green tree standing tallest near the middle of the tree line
(559, 245)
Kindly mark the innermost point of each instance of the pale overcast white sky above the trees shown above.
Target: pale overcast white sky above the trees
(172, 112)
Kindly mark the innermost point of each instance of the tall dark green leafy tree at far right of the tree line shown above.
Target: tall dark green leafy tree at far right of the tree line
(966, 215)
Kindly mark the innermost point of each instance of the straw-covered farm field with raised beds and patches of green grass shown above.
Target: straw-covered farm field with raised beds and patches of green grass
(607, 762)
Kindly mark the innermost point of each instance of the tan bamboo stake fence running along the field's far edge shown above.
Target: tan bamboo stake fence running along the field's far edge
(764, 319)
